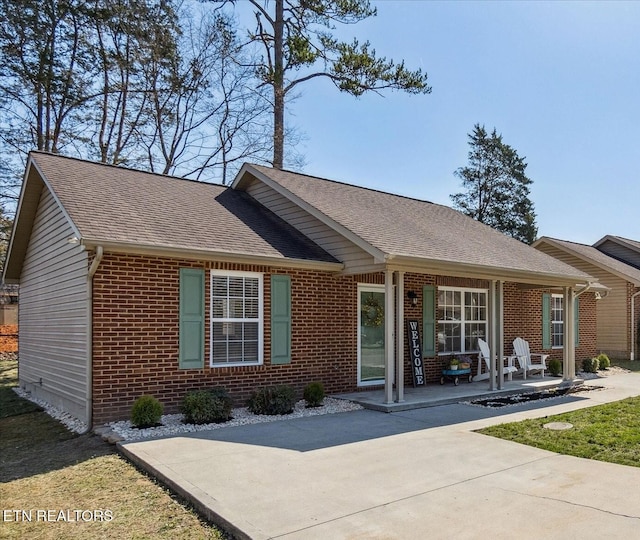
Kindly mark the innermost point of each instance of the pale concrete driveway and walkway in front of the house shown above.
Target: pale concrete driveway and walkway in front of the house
(421, 473)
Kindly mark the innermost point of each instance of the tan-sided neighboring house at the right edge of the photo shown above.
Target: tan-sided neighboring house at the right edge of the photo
(615, 262)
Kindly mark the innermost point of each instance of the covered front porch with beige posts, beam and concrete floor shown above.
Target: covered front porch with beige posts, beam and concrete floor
(394, 396)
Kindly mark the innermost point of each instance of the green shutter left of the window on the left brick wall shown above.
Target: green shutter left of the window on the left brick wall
(191, 354)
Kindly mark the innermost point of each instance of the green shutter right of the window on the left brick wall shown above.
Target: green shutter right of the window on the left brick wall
(280, 319)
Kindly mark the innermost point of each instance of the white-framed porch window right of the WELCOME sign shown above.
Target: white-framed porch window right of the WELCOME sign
(462, 319)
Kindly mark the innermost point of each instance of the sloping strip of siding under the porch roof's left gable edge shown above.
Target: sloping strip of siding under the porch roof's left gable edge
(332, 242)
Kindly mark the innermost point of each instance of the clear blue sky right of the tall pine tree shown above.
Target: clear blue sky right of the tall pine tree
(559, 80)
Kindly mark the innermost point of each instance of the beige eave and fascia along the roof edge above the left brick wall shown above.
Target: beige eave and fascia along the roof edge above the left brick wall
(190, 253)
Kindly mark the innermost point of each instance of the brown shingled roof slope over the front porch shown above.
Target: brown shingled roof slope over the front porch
(413, 229)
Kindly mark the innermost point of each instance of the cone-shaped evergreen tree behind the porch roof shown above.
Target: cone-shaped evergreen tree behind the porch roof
(496, 187)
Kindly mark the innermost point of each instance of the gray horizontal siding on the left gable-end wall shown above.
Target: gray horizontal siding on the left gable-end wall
(53, 318)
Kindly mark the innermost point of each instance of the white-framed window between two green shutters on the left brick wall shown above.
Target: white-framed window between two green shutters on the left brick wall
(236, 318)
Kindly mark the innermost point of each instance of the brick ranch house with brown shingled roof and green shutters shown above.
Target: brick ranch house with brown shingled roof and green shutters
(135, 283)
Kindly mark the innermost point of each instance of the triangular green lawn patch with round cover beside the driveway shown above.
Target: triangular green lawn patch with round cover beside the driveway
(609, 432)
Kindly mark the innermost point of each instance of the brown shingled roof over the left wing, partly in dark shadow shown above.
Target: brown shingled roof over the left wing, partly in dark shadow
(114, 206)
